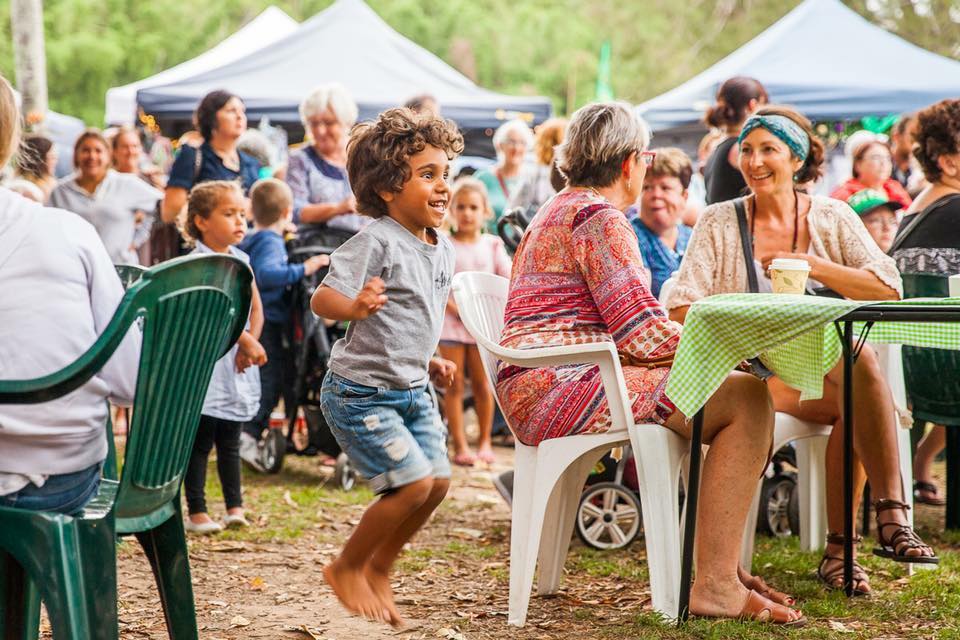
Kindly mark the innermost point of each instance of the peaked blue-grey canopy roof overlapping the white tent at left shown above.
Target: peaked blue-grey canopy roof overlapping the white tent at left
(347, 43)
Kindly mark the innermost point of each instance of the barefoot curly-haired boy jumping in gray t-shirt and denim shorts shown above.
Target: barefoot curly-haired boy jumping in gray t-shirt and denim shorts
(391, 281)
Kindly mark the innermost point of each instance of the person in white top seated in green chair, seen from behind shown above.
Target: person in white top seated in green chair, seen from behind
(61, 291)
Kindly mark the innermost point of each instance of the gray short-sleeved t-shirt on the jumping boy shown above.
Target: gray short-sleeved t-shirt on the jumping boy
(392, 348)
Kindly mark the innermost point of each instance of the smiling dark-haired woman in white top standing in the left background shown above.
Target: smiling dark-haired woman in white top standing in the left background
(120, 206)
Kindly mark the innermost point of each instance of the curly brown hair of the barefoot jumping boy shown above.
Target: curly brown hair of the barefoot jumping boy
(379, 151)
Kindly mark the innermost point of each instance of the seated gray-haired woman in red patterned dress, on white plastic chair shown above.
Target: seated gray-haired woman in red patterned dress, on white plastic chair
(578, 278)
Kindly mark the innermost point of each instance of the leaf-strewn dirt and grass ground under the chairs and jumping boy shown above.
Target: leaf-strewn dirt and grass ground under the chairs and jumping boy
(265, 582)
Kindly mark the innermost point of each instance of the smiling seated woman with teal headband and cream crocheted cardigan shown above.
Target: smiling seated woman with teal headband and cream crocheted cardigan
(778, 151)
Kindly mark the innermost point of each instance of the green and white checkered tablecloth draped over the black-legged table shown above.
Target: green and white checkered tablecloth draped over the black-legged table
(793, 335)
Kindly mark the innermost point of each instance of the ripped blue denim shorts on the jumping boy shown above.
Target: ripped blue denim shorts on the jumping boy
(393, 437)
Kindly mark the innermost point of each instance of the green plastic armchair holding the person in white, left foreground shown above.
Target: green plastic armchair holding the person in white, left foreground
(193, 308)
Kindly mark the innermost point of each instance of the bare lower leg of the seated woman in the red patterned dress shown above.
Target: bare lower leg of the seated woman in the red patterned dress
(738, 426)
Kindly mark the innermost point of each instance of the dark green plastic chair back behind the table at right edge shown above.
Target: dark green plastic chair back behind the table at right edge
(932, 375)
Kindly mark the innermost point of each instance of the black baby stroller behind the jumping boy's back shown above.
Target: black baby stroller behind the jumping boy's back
(311, 342)
